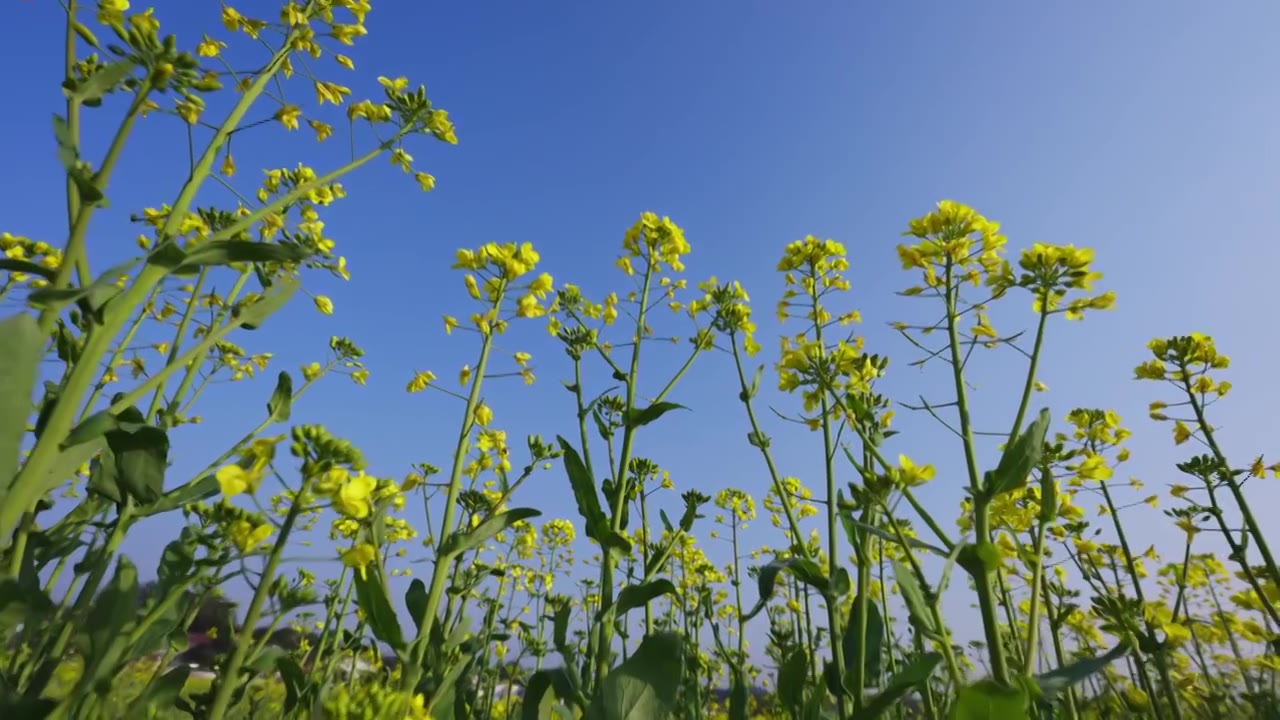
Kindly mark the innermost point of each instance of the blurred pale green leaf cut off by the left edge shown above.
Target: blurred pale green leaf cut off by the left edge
(20, 364)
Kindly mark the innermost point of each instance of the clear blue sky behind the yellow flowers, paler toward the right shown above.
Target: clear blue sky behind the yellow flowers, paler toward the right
(1144, 130)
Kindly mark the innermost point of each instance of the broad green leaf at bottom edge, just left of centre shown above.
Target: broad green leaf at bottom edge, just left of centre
(646, 686)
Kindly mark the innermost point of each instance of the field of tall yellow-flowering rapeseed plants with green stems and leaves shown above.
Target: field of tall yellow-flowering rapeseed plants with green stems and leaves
(620, 610)
